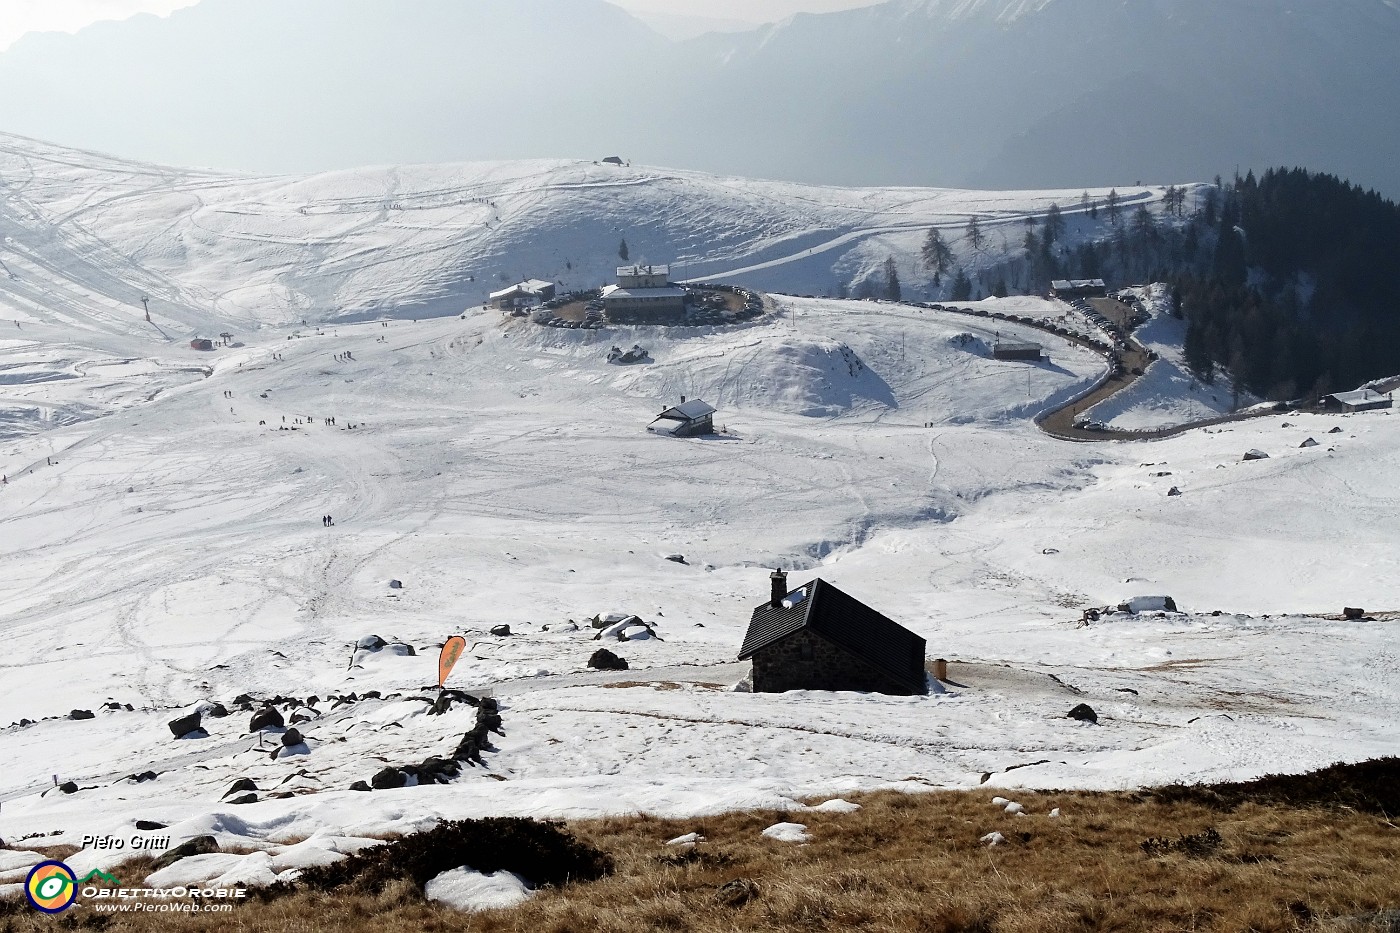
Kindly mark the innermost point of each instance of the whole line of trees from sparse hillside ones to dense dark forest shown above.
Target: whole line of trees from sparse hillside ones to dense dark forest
(1290, 282)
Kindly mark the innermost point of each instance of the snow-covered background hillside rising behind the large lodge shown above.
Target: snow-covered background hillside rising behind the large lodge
(86, 237)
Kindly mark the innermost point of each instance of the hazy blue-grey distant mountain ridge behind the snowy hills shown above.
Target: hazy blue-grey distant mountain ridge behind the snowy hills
(960, 93)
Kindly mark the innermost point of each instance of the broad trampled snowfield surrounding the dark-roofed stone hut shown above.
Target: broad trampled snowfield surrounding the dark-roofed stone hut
(170, 550)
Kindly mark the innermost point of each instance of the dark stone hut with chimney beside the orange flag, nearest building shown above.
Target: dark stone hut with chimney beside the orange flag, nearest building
(817, 638)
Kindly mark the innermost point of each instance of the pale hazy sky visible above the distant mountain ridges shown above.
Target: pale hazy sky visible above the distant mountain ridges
(19, 18)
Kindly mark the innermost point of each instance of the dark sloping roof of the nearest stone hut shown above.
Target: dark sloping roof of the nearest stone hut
(846, 621)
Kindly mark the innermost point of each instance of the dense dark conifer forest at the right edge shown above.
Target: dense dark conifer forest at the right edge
(1300, 293)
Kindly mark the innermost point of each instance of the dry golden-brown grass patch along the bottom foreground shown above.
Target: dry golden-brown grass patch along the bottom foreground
(913, 864)
